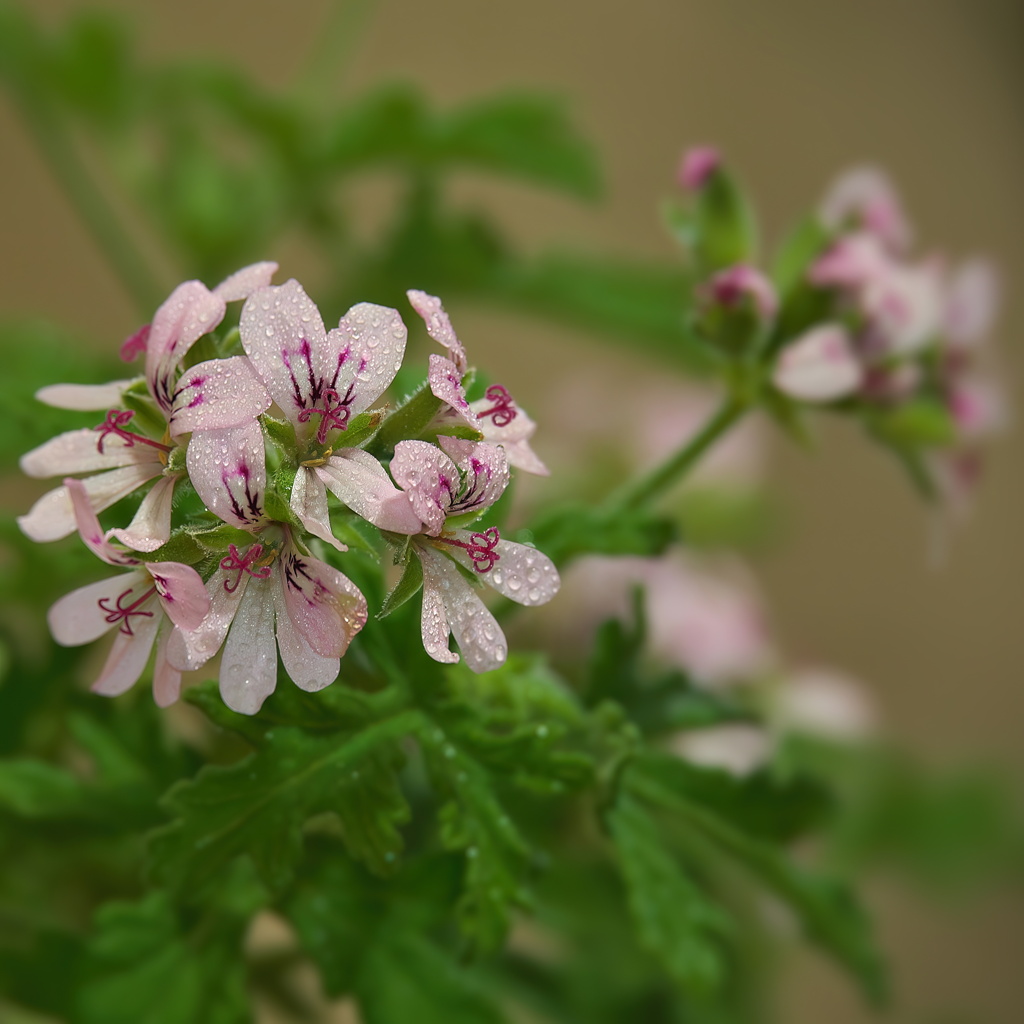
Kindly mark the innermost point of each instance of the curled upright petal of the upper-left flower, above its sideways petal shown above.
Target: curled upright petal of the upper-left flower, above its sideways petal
(191, 312)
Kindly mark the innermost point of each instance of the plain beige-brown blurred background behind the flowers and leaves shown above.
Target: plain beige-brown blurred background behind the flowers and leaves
(793, 91)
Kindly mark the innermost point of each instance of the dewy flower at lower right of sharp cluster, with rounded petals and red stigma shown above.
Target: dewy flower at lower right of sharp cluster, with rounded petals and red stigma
(463, 481)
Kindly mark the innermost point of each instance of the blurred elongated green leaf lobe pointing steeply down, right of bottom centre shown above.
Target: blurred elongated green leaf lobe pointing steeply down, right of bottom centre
(674, 918)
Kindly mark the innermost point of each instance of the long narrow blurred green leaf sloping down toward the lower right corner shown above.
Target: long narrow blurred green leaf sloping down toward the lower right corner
(831, 916)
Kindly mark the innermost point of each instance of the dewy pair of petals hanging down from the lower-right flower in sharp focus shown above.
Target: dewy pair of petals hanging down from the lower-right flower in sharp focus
(450, 603)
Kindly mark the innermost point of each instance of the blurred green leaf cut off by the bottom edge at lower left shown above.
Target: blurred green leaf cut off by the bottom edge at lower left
(143, 965)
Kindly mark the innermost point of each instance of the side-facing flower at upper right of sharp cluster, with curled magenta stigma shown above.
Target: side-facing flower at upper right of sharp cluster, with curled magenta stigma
(498, 417)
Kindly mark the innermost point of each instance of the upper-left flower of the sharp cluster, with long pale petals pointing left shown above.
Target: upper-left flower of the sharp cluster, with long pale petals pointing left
(212, 396)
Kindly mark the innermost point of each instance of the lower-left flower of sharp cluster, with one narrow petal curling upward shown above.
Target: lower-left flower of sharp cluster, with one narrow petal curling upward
(139, 604)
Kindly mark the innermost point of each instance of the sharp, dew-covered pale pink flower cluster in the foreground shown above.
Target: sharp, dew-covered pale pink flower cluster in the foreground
(262, 436)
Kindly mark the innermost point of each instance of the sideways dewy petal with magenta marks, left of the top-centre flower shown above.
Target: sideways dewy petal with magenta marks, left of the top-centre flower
(217, 396)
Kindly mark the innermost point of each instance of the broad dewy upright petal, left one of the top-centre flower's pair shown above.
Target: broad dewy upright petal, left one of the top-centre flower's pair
(283, 334)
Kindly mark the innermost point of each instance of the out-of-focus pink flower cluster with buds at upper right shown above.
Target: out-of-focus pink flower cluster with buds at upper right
(850, 319)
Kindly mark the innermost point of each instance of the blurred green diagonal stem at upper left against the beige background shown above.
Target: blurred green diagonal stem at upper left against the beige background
(90, 203)
